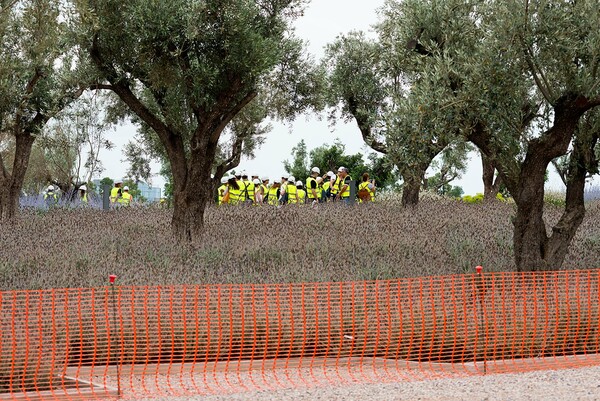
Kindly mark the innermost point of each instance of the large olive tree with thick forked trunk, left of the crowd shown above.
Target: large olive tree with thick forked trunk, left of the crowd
(186, 68)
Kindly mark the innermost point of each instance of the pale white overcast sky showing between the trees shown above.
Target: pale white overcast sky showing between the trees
(321, 23)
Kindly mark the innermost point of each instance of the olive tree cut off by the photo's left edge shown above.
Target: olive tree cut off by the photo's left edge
(37, 79)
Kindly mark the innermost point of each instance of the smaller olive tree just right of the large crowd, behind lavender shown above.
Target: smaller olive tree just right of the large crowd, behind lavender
(371, 82)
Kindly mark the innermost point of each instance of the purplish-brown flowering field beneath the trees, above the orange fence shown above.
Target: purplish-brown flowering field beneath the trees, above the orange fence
(80, 248)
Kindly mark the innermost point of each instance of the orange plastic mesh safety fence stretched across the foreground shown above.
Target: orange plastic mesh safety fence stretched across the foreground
(88, 343)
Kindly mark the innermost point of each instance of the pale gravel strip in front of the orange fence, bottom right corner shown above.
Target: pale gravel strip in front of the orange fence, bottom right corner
(571, 384)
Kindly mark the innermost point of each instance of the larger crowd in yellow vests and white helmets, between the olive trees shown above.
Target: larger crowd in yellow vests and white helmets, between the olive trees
(330, 187)
